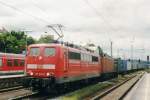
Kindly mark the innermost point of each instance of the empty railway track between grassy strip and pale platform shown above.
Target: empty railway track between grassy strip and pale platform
(118, 92)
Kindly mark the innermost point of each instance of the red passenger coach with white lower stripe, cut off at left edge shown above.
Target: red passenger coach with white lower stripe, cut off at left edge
(11, 68)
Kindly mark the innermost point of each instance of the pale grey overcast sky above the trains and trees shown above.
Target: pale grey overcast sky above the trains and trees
(124, 22)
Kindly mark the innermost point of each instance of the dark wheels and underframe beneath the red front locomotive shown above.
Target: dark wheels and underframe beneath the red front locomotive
(51, 83)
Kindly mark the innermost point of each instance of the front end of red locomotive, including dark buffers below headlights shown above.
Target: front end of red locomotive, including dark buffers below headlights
(41, 65)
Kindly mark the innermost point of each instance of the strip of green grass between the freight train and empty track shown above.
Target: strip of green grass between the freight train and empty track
(90, 90)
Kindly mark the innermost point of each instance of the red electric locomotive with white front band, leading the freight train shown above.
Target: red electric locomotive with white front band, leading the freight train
(49, 64)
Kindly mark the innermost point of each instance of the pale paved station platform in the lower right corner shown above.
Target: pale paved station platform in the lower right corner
(141, 91)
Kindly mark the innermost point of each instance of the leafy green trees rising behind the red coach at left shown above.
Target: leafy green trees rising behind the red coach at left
(14, 42)
